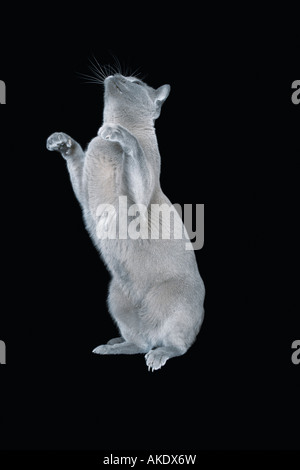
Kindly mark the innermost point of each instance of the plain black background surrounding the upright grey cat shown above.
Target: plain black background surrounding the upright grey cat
(228, 137)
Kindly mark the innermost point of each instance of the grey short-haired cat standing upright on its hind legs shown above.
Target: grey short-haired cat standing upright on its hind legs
(156, 293)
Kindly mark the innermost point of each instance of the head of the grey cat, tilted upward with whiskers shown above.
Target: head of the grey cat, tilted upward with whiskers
(132, 101)
